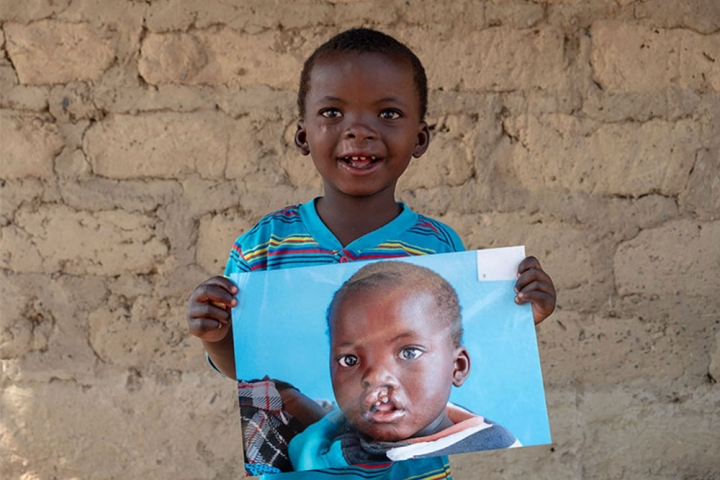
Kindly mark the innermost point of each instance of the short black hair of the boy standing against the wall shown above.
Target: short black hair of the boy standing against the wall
(364, 40)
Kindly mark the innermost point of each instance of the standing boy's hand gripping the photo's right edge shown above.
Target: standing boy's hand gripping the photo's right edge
(535, 286)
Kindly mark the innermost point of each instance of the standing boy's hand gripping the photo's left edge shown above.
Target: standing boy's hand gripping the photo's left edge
(209, 309)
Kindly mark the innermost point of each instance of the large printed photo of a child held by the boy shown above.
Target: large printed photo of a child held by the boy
(385, 361)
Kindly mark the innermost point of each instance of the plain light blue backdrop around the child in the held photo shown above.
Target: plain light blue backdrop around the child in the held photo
(280, 330)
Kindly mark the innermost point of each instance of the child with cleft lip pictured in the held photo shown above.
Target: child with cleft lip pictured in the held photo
(395, 353)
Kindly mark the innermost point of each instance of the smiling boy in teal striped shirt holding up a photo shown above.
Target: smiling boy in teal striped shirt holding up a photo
(362, 101)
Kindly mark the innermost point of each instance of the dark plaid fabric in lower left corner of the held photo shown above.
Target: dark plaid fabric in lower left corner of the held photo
(267, 428)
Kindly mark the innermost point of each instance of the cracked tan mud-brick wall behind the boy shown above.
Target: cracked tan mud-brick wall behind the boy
(139, 138)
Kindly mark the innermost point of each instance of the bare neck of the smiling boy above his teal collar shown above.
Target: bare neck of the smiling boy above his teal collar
(349, 218)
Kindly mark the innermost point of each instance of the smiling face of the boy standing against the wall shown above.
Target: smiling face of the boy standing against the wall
(362, 122)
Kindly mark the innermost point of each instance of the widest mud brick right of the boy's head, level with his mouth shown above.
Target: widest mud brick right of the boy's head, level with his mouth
(625, 160)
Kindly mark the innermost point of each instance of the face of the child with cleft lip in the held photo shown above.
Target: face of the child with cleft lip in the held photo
(393, 362)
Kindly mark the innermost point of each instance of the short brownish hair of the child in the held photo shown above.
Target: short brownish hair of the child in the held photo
(393, 273)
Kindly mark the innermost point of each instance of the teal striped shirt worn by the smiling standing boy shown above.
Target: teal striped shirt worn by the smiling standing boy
(295, 236)
